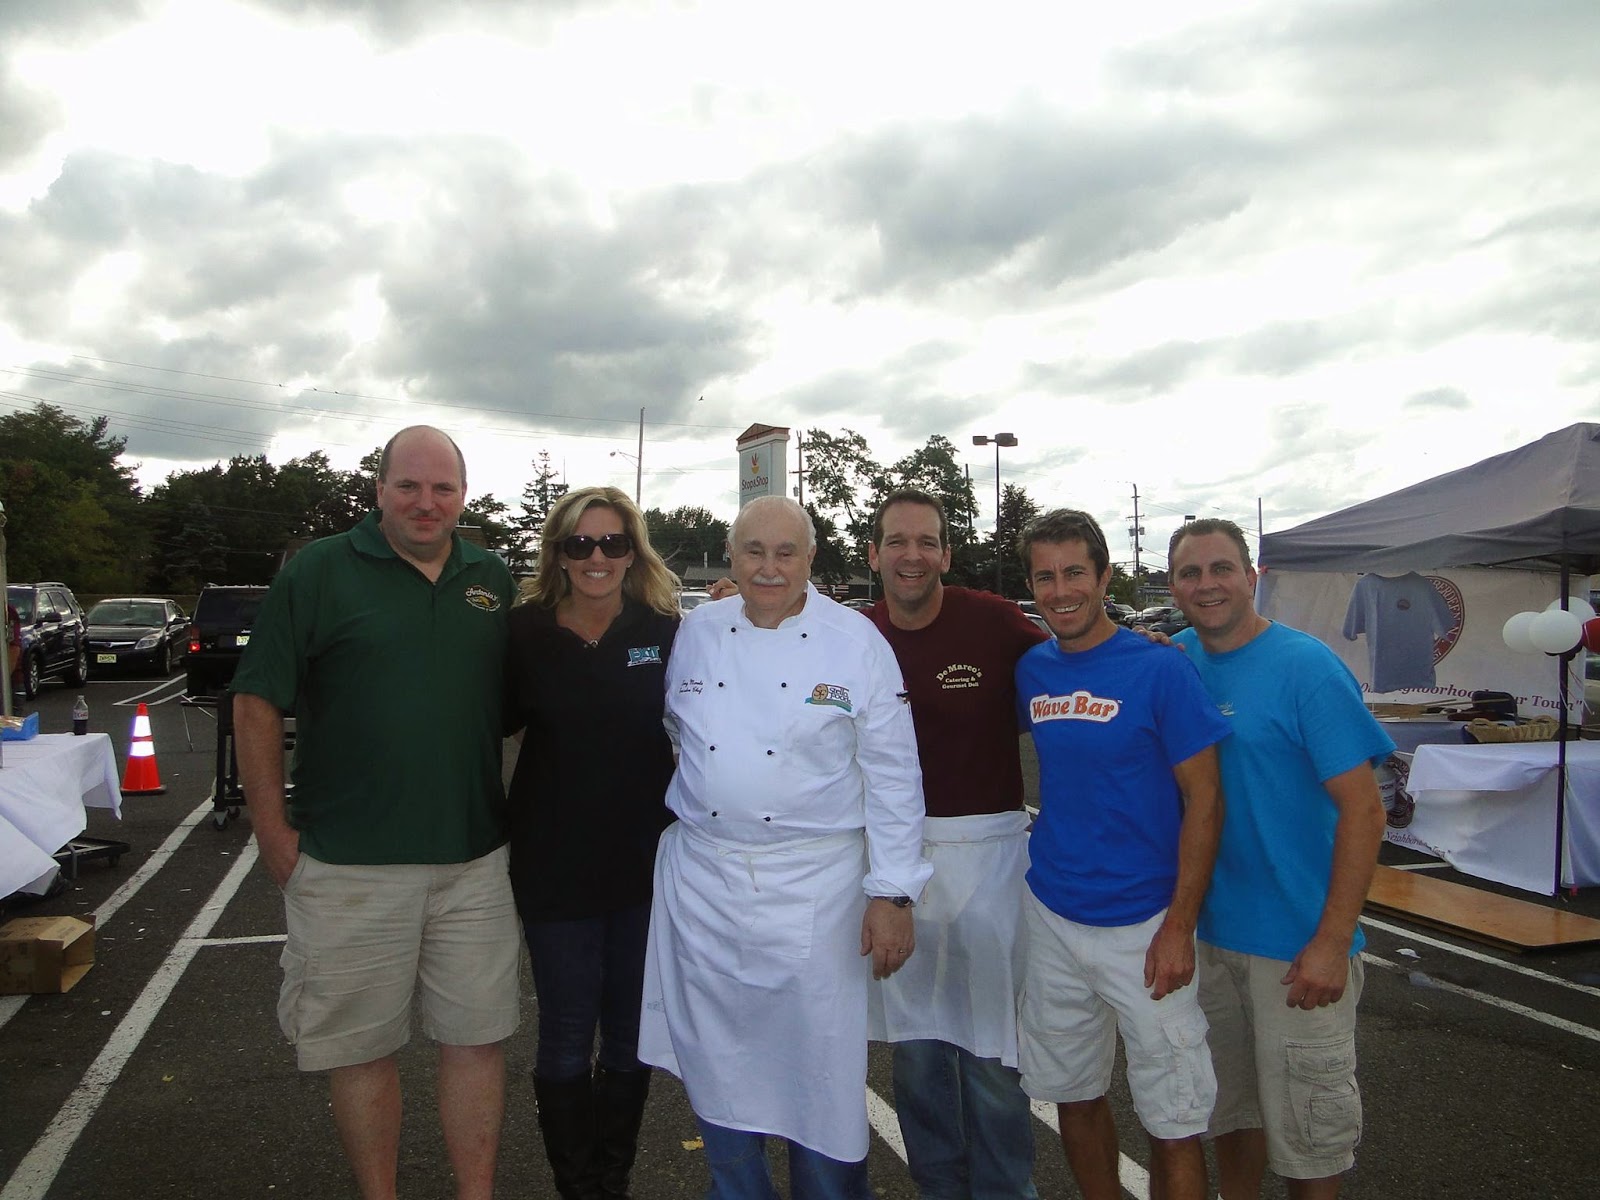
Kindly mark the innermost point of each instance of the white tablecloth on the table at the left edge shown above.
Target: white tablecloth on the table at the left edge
(46, 785)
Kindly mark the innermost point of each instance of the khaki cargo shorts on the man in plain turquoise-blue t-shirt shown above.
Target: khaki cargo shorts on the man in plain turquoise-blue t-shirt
(1292, 1066)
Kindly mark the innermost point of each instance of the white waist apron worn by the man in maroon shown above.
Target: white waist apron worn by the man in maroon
(961, 983)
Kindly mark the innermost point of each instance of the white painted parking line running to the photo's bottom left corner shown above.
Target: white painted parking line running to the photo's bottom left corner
(34, 1175)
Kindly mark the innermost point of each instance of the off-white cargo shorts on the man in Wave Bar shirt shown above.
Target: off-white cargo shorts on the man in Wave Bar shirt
(1084, 985)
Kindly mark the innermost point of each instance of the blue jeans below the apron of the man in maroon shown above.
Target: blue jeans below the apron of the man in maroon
(967, 1124)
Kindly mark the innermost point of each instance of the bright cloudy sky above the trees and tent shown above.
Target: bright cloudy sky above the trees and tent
(1217, 250)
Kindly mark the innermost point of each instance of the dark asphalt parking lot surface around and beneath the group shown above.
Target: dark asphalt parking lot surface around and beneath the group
(164, 1073)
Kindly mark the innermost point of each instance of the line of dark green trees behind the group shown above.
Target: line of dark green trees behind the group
(76, 513)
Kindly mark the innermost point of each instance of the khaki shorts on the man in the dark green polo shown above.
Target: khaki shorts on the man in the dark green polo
(362, 940)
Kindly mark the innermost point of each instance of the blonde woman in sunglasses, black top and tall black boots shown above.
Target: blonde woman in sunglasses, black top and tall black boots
(590, 642)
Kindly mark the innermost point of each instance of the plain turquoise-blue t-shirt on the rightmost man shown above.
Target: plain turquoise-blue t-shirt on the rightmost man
(1298, 721)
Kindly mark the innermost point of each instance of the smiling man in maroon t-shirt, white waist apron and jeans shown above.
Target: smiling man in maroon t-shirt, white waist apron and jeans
(951, 1010)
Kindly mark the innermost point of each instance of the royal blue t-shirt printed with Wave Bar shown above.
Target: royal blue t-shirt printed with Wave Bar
(1110, 726)
